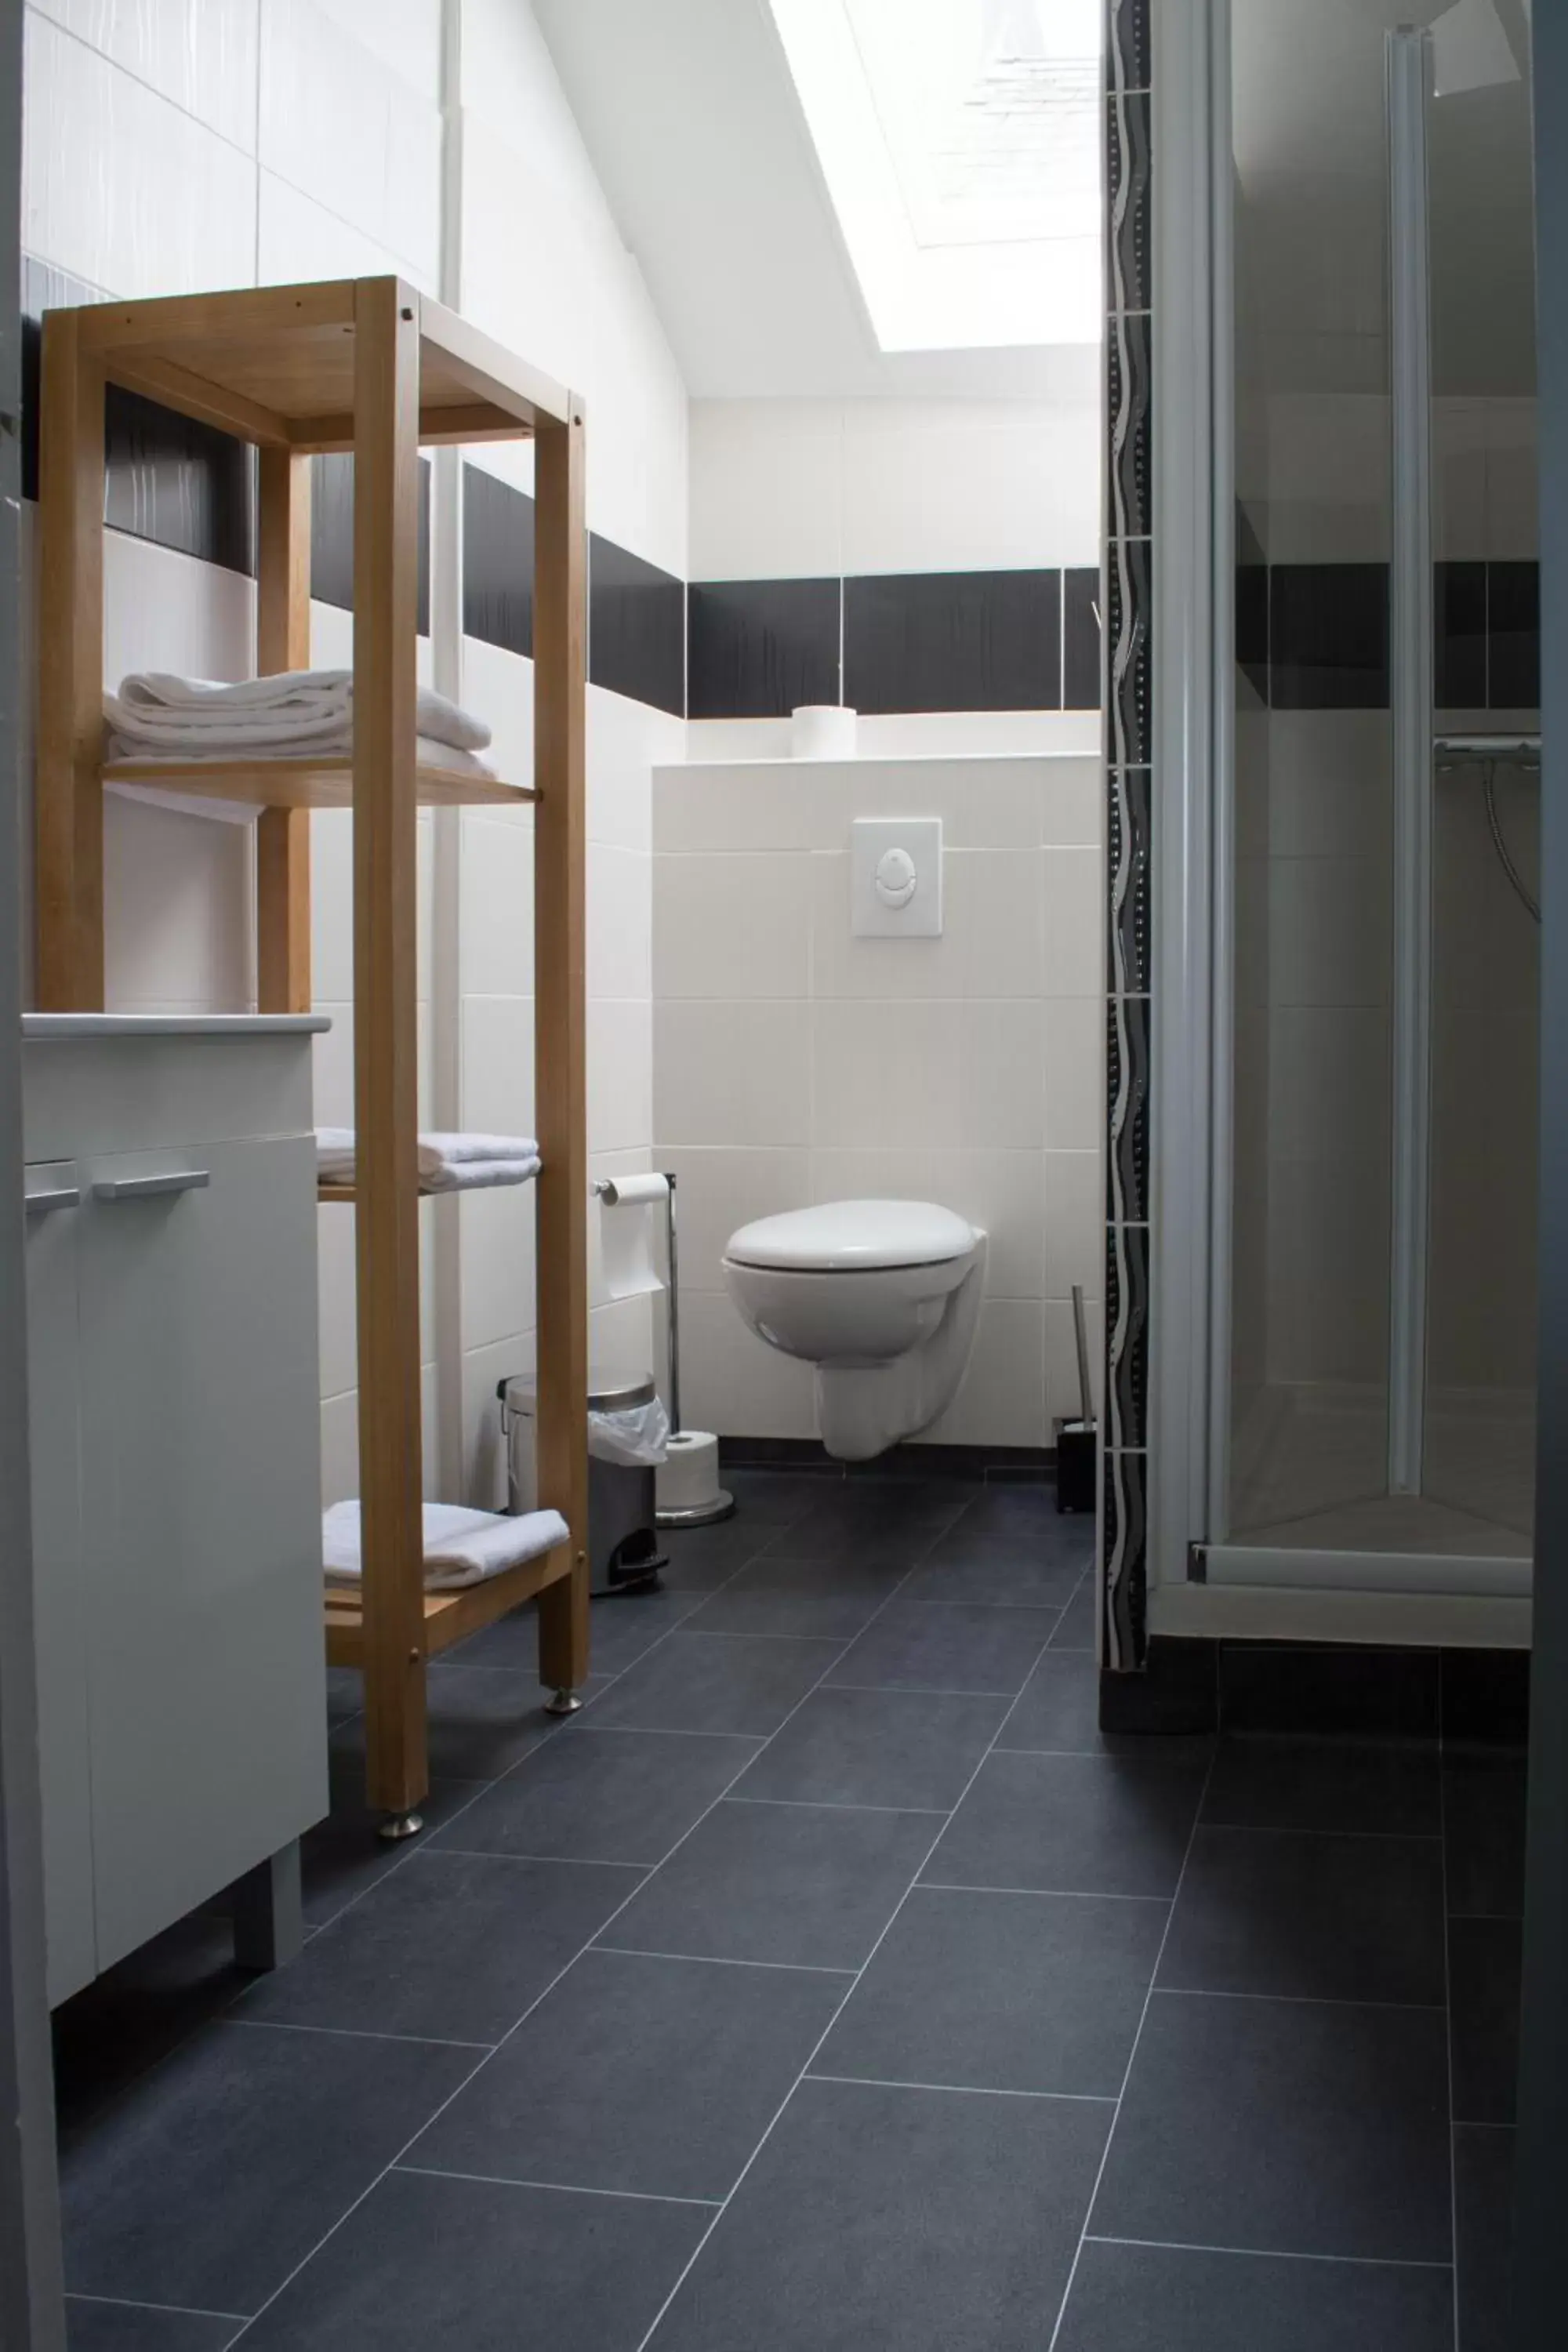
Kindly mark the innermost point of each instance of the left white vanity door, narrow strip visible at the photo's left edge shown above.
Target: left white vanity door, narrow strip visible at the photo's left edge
(60, 1641)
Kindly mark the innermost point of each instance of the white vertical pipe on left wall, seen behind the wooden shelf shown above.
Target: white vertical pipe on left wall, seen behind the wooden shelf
(448, 824)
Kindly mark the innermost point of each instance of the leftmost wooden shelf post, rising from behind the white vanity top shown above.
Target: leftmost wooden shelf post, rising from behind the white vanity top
(69, 806)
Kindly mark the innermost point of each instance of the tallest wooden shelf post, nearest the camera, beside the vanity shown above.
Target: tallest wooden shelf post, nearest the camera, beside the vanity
(387, 1043)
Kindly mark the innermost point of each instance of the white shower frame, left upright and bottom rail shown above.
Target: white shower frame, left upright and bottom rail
(1198, 1579)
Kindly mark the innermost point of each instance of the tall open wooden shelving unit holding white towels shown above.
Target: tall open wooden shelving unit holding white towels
(373, 368)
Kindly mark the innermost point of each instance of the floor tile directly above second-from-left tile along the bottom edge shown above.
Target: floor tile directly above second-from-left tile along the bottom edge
(652, 2076)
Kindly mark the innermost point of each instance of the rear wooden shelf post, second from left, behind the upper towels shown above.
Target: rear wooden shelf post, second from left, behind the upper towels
(283, 643)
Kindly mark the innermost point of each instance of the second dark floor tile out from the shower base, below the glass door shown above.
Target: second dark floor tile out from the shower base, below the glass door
(1311, 1916)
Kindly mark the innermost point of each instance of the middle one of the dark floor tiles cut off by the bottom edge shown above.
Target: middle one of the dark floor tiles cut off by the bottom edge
(925, 2221)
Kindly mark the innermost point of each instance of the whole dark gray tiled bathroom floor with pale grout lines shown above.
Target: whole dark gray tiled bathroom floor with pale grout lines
(831, 1982)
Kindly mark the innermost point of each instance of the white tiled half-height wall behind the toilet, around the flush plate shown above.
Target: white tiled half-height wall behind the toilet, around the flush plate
(798, 1064)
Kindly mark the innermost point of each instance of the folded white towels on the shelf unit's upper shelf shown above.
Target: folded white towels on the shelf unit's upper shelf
(293, 716)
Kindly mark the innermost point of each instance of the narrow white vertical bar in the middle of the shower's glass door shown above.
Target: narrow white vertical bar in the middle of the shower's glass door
(1409, 79)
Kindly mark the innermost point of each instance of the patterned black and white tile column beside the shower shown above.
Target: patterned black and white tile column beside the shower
(1130, 592)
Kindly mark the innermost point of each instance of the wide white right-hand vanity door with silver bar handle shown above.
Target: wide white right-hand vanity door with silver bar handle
(201, 1474)
